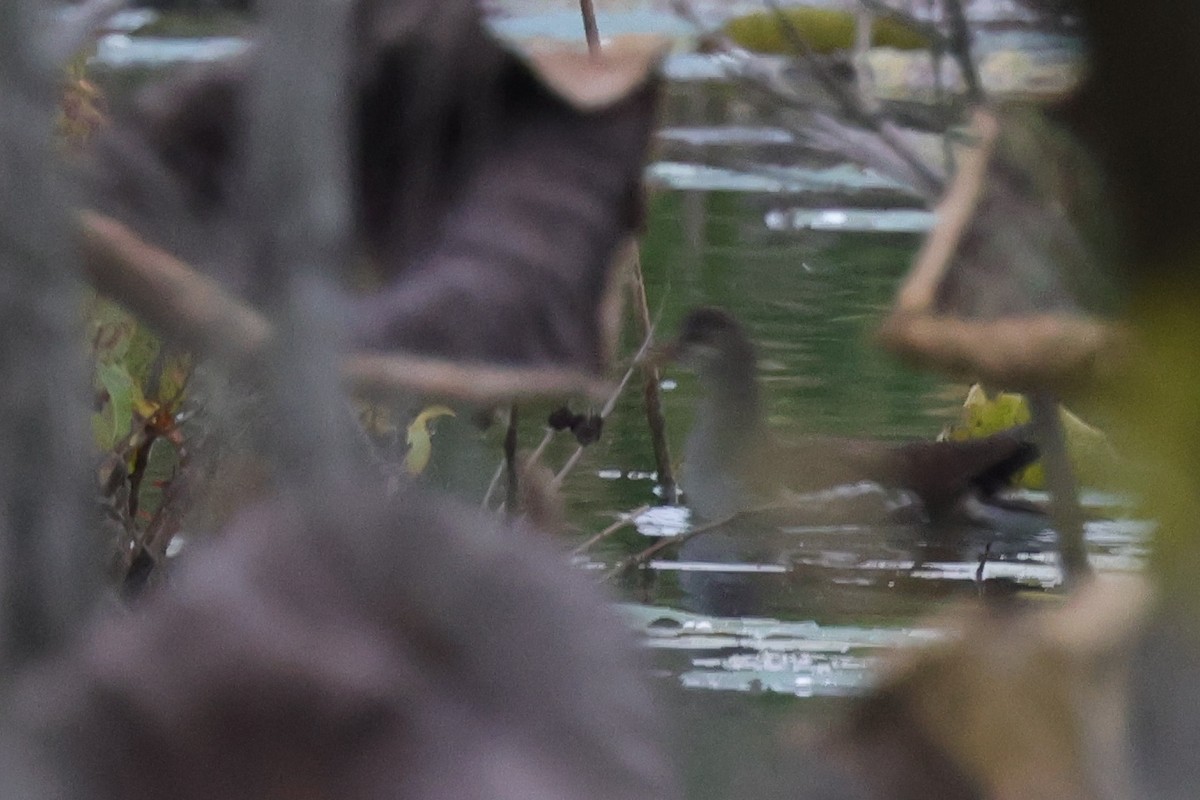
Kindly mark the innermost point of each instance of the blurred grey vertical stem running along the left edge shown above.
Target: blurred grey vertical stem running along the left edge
(49, 552)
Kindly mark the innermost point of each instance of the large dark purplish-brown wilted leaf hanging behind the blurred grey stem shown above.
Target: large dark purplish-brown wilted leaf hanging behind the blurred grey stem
(489, 227)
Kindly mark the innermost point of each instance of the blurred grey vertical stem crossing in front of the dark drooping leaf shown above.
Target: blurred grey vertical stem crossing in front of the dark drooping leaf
(298, 197)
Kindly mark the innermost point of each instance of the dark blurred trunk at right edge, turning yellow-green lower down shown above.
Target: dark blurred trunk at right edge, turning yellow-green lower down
(1138, 115)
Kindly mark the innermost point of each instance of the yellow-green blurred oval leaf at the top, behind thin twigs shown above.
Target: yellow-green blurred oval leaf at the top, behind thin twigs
(826, 31)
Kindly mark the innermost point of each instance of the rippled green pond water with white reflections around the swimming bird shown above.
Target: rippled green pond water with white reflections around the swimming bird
(825, 601)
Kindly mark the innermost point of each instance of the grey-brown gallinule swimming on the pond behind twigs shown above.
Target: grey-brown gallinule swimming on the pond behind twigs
(734, 465)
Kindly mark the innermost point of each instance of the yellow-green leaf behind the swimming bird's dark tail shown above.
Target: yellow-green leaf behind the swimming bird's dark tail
(1095, 460)
